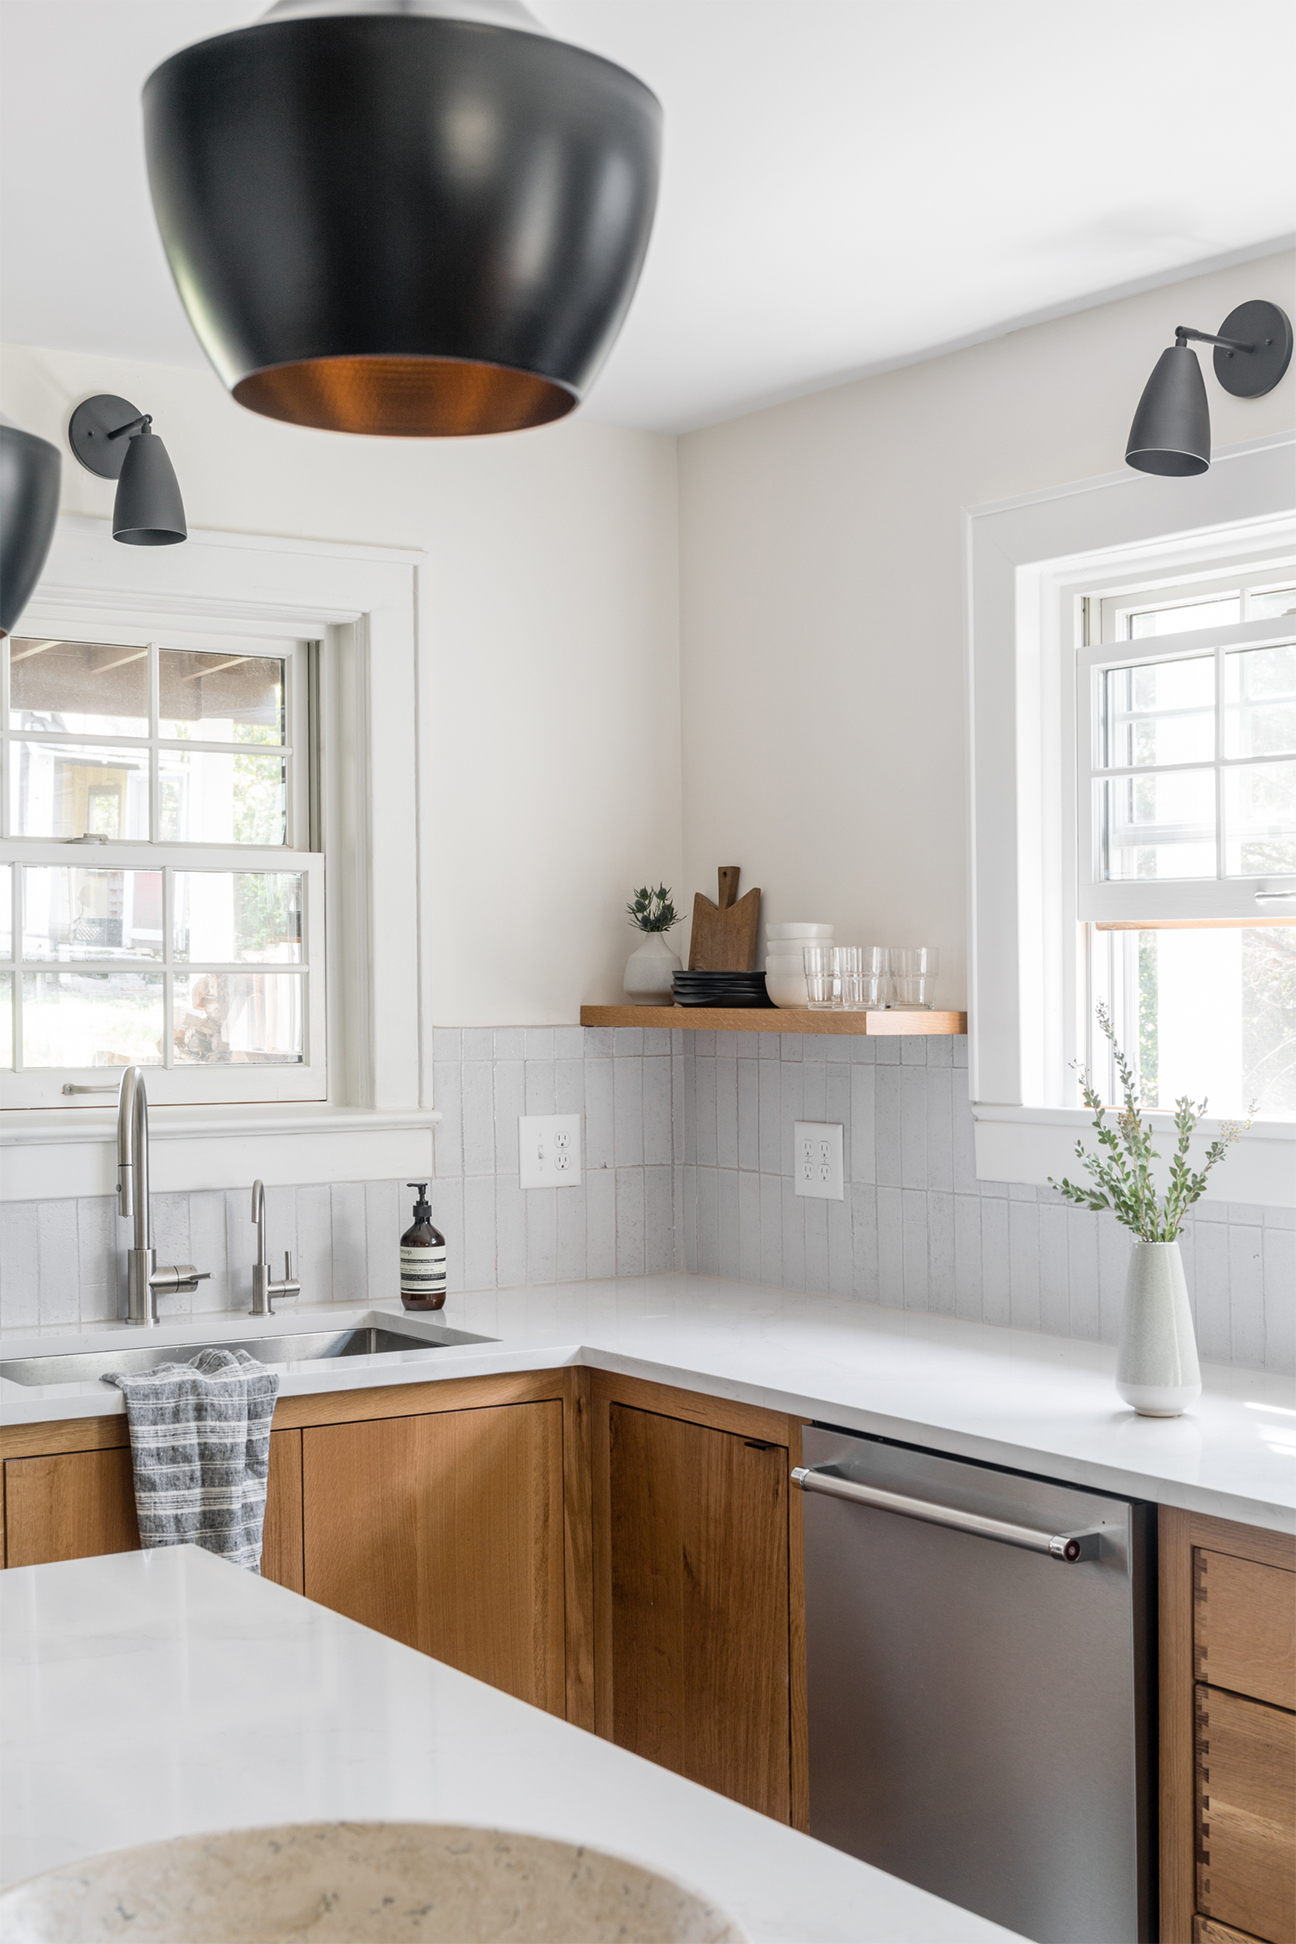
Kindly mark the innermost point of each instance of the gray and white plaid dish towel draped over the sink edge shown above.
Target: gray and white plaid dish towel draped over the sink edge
(201, 1451)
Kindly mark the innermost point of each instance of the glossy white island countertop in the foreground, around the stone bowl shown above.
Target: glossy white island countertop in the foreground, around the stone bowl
(172, 1694)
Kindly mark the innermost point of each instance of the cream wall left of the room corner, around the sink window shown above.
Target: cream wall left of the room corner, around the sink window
(553, 573)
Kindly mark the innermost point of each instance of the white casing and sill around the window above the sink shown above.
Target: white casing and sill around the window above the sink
(364, 606)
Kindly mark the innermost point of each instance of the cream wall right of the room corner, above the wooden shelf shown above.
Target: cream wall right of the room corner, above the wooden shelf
(821, 598)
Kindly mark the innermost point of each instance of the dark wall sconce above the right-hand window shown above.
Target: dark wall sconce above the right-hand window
(1173, 427)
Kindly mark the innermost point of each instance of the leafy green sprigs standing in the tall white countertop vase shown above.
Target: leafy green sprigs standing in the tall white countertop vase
(1122, 1171)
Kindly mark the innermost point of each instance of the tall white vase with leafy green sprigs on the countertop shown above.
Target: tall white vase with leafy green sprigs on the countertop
(1157, 1364)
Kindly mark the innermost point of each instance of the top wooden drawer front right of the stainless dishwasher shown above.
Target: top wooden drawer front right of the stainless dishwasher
(1245, 1628)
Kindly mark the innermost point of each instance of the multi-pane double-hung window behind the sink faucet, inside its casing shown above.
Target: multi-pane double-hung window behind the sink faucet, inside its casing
(162, 891)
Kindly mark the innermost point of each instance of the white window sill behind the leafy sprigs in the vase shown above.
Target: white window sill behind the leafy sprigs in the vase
(1031, 1144)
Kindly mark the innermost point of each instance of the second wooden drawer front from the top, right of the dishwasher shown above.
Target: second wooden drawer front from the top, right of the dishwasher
(1246, 1815)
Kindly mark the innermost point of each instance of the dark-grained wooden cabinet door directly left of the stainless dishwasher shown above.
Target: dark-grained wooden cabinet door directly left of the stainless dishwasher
(699, 1607)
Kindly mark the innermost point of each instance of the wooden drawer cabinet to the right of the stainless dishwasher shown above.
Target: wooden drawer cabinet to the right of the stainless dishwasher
(1227, 1733)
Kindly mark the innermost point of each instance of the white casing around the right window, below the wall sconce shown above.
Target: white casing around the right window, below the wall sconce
(1027, 565)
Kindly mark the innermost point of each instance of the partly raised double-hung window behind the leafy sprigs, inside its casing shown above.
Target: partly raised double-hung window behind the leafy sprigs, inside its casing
(1186, 823)
